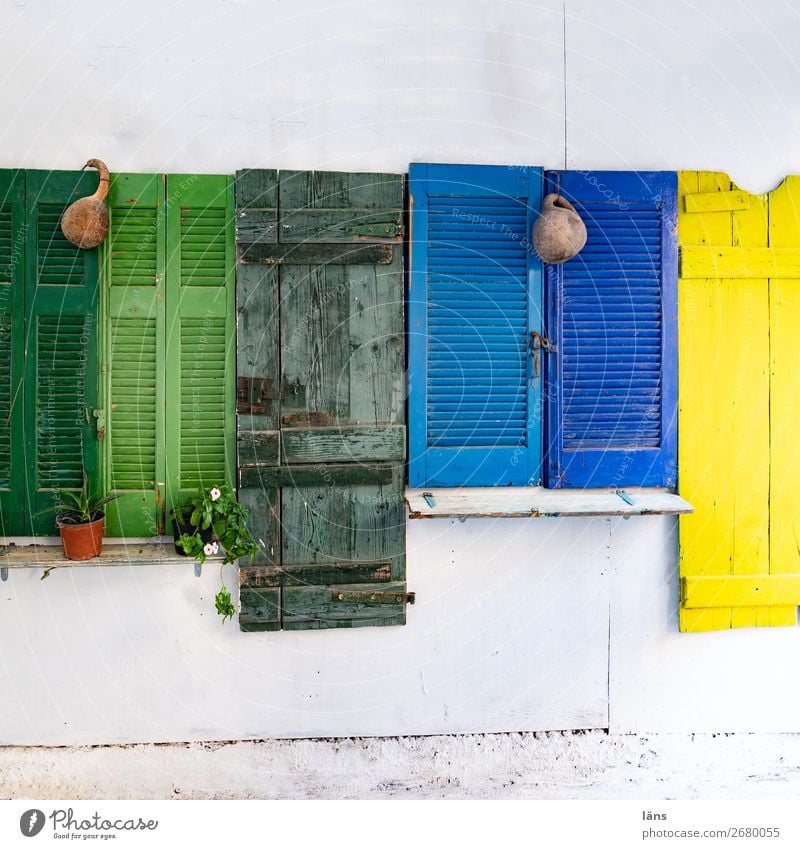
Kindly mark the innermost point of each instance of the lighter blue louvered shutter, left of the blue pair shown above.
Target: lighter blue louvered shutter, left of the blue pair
(475, 296)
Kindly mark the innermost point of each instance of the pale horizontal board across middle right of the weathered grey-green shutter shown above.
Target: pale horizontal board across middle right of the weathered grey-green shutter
(347, 444)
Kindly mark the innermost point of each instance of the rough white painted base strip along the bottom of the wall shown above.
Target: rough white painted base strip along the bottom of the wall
(555, 765)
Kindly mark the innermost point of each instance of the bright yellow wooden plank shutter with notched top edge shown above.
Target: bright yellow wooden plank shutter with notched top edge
(739, 401)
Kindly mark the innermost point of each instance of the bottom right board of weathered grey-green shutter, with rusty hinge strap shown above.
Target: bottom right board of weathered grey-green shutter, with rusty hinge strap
(317, 607)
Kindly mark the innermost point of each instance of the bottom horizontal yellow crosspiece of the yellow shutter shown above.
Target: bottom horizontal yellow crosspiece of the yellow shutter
(734, 591)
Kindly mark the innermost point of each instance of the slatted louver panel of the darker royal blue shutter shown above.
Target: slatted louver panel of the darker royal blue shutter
(610, 293)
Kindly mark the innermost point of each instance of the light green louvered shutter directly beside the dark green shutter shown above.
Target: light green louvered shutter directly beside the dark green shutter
(134, 265)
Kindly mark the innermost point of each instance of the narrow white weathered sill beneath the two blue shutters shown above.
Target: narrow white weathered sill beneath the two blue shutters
(526, 502)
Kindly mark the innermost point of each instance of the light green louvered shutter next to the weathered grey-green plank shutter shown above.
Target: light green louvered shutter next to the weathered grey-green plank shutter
(200, 391)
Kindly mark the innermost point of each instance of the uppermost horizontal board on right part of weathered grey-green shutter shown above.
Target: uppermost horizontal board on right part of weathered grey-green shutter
(340, 225)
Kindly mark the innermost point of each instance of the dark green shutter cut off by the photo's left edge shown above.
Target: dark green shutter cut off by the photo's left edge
(12, 282)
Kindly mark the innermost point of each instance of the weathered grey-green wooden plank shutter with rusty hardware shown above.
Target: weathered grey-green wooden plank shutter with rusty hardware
(321, 397)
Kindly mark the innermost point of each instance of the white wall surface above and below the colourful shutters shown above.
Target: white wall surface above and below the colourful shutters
(511, 630)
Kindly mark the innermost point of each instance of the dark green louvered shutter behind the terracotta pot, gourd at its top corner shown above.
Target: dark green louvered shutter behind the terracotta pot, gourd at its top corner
(60, 382)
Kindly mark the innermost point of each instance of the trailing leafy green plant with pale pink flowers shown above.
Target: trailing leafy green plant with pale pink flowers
(207, 520)
